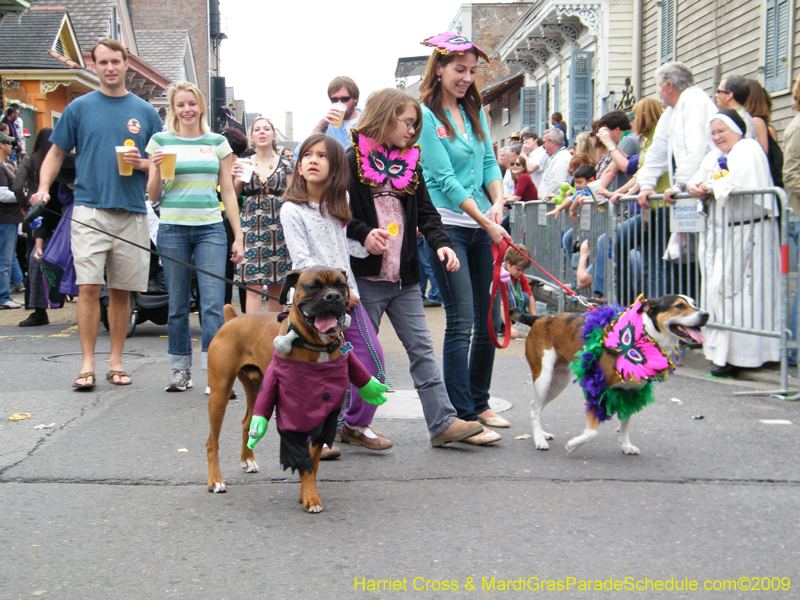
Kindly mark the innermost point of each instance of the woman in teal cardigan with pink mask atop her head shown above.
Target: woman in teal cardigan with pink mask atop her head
(459, 164)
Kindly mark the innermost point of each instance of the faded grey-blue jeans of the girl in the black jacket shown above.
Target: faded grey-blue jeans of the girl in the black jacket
(404, 307)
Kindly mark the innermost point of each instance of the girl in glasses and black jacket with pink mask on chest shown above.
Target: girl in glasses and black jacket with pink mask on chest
(390, 204)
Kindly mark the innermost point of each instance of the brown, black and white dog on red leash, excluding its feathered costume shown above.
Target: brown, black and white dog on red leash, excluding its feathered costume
(554, 340)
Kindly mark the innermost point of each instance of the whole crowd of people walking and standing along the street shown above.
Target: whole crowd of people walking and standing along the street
(407, 196)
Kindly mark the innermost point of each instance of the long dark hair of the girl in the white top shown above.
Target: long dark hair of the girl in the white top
(333, 199)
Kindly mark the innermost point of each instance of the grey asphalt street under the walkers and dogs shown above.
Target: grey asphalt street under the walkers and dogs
(105, 505)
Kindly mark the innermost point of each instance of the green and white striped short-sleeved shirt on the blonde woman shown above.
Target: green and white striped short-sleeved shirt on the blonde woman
(191, 198)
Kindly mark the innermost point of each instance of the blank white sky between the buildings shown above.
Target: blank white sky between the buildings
(281, 55)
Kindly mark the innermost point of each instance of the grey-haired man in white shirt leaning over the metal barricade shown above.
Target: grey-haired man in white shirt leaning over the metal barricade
(680, 143)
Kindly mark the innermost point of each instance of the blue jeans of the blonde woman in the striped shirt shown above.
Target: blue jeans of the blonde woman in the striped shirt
(206, 244)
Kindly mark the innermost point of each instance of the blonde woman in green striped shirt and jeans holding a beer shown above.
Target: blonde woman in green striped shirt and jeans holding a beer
(191, 228)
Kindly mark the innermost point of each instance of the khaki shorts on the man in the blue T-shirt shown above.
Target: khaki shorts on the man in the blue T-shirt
(128, 266)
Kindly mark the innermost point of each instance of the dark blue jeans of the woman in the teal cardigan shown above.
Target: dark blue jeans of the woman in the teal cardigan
(467, 296)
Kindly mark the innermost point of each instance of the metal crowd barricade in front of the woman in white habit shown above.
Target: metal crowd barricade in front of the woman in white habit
(737, 268)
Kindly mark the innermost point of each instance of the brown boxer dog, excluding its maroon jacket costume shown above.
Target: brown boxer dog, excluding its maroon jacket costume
(243, 348)
